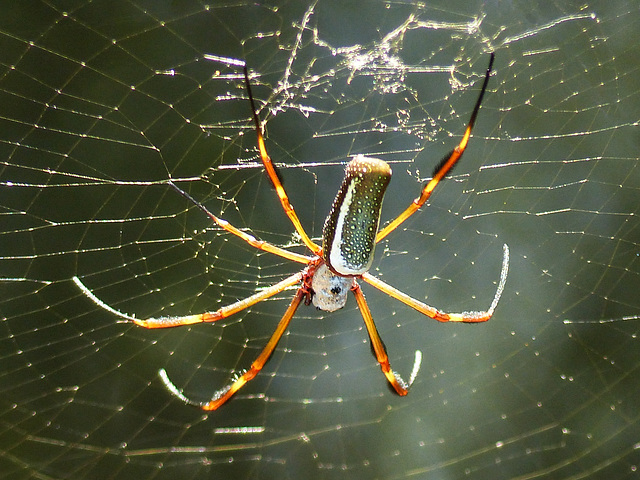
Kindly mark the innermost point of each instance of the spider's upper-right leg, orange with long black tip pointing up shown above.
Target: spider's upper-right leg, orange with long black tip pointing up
(442, 169)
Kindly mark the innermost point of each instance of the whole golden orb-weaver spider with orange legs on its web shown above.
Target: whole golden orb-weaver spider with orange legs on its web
(349, 237)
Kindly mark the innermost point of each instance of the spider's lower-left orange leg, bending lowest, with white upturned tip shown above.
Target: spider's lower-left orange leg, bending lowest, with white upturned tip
(221, 396)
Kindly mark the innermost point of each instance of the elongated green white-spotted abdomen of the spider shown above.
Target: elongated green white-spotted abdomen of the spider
(349, 235)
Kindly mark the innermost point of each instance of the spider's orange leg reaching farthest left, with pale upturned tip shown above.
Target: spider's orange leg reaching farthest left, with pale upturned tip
(223, 312)
